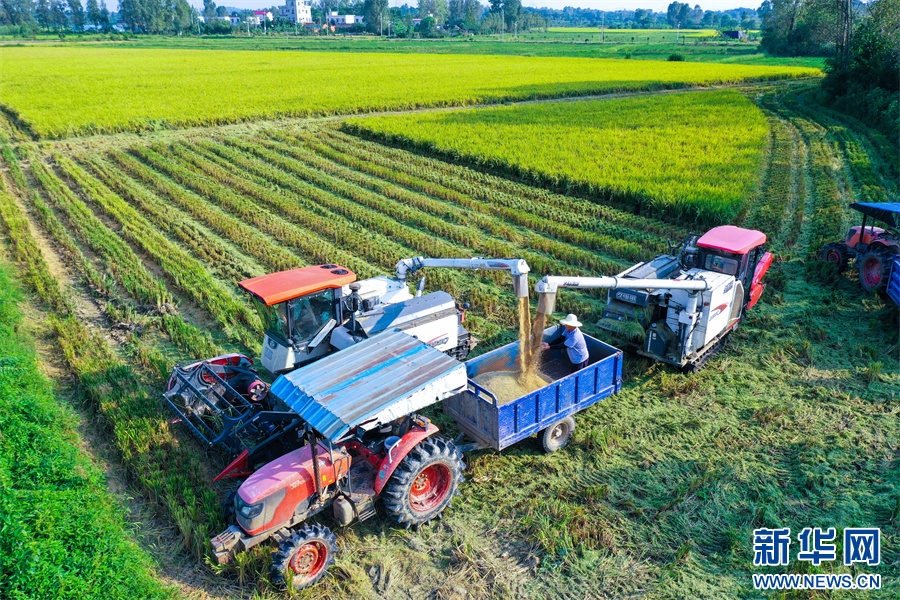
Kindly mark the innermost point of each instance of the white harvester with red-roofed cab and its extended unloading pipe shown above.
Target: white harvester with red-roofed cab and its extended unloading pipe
(679, 309)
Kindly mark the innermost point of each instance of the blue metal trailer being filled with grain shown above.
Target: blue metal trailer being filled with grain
(482, 418)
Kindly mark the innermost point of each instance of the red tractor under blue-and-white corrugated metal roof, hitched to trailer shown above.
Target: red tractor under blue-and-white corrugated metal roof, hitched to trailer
(360, 441)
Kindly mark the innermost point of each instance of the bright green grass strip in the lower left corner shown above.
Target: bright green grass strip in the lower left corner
(62, 534)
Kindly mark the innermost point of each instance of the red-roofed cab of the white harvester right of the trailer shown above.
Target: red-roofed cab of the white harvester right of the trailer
(737, 252)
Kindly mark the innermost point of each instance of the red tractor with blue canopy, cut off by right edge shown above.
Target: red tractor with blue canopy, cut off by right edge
(873, 248)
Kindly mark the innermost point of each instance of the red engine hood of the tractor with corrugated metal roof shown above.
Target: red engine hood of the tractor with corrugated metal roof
(294, 473)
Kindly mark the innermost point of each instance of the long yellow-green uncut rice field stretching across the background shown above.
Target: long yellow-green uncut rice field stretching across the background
(65, 91)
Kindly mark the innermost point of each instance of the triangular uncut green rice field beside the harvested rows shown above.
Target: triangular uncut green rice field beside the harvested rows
(687, 156)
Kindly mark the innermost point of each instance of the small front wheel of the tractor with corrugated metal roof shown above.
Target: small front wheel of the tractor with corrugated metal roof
(303, 558)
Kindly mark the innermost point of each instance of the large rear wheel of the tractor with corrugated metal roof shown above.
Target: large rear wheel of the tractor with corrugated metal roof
(424, 483)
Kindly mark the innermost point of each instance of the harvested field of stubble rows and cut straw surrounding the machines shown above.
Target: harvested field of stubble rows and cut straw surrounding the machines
(661, 485)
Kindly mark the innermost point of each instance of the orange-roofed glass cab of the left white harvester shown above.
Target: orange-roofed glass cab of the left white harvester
(298, 309)
